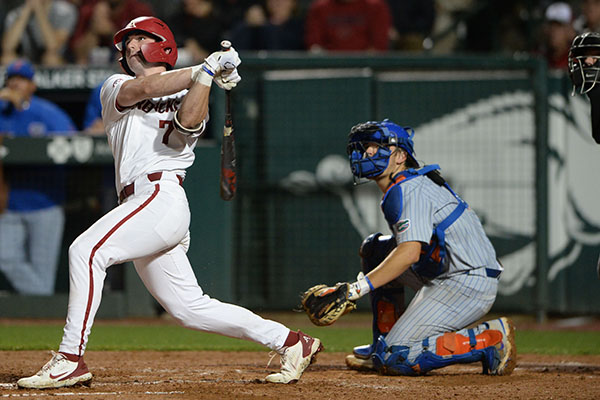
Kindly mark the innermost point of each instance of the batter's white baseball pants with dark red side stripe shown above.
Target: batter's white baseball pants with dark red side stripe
(151, 228)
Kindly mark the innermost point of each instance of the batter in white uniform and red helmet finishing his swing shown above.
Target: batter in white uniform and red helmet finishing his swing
(153, 118)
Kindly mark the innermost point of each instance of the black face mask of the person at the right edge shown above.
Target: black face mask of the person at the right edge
(583, 75)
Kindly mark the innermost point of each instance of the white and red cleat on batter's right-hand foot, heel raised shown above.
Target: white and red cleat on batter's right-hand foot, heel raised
(295, 359)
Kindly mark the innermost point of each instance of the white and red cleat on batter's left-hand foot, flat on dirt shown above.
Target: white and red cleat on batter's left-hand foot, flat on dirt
(58, 372)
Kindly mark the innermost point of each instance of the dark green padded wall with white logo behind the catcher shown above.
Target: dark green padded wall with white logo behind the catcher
(508, 136)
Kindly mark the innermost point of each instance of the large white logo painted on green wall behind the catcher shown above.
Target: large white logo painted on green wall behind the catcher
(486, 152)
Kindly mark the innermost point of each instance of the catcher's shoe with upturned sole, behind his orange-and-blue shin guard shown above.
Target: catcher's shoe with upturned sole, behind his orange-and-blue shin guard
(501, 359)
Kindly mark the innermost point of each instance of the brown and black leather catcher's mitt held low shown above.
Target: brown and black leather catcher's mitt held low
(325, 304)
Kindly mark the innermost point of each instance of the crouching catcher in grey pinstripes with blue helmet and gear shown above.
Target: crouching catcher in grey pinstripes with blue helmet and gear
(439, 249)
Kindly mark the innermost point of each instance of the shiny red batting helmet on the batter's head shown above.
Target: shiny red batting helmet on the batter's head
(163, 50)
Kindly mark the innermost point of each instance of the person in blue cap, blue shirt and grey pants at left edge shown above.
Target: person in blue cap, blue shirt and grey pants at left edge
(31, 226)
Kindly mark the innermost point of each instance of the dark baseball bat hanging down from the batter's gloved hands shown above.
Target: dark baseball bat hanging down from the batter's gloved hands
(228, 180)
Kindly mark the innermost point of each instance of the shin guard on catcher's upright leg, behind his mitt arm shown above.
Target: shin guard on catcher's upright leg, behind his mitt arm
(387, 302)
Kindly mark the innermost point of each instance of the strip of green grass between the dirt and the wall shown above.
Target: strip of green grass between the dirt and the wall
(163, 337)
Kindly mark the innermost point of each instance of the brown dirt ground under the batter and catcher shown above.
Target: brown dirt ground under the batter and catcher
(223, 376)
